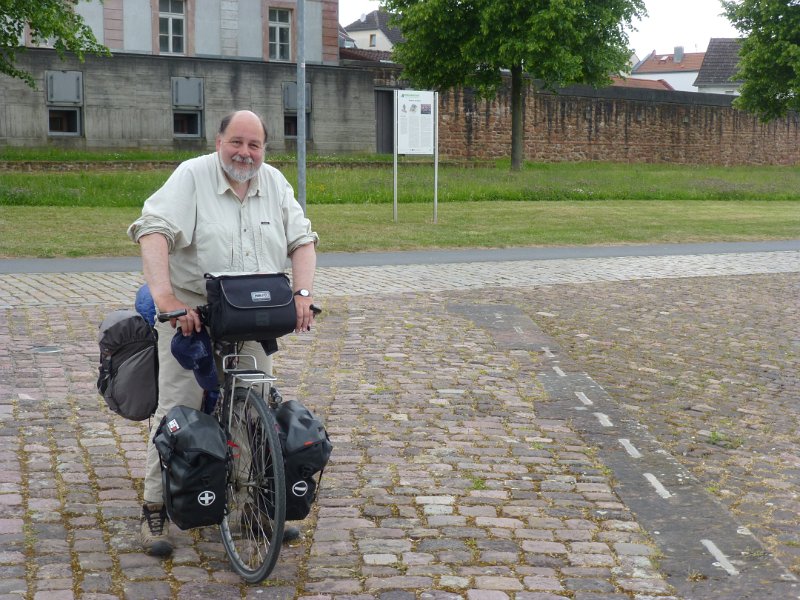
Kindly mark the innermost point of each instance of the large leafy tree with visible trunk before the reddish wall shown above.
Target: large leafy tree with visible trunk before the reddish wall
(471, 43)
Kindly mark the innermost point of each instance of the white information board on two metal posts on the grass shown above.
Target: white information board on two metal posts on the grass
(416, 131)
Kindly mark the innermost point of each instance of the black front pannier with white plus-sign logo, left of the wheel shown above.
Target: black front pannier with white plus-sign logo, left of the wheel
(194, 462)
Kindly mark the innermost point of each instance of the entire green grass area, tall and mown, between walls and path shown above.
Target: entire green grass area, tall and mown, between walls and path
(53, 214)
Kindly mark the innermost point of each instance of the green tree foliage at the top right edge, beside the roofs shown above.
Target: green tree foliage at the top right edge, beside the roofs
(769, 56)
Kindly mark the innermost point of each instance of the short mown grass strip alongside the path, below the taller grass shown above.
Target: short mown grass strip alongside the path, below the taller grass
(91, 231)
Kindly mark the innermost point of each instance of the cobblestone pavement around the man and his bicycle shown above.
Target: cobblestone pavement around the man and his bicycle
(454, 474)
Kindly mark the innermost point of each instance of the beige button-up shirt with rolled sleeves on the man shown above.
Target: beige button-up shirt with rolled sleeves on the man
(209, 230)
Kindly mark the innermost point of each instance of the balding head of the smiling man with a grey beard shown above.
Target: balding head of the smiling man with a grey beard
(241, 147)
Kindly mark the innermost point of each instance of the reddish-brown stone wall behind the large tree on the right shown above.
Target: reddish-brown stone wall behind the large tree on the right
(618, 125)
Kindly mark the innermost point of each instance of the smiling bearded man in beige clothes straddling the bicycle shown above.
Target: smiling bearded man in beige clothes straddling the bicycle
(225, 212)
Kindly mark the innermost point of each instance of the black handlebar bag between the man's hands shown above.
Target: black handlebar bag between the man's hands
(252, 307)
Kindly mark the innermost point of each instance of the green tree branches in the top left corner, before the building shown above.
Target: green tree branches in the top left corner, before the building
(52, 22)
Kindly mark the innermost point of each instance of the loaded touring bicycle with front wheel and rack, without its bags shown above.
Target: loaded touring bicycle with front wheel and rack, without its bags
(255, 503)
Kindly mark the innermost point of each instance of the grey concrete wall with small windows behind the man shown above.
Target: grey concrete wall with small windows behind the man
(127, 102)
